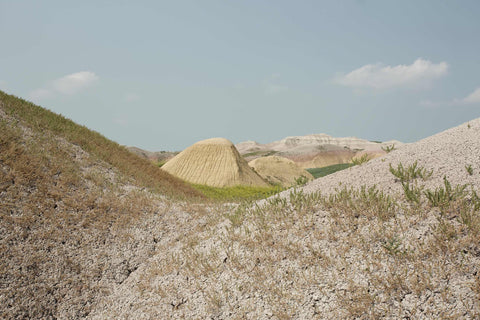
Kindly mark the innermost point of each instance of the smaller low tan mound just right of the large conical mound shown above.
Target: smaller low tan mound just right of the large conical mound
(279, 170)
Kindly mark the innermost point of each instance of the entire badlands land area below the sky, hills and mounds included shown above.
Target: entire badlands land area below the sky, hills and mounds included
(91, 230)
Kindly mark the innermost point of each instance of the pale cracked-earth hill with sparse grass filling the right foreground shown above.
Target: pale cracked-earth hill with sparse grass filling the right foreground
(307, 257)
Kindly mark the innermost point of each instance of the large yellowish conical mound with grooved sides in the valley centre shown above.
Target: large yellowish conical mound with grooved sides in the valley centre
(213, 162)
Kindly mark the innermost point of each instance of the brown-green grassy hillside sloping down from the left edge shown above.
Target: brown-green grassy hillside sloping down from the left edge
(70, 204)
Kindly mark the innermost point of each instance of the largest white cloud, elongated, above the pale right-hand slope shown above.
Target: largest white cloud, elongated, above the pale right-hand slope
(378, 76)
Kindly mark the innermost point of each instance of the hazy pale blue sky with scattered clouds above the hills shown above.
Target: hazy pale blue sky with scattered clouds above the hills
(162, 75)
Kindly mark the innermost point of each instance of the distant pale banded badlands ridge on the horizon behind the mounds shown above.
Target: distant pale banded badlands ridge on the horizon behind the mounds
(315, 150)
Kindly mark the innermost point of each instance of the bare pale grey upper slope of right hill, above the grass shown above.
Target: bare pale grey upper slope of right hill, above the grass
(446, 153)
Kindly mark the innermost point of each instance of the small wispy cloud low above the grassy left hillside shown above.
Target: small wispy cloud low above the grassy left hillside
(67, 85)
